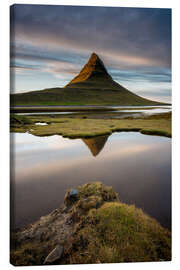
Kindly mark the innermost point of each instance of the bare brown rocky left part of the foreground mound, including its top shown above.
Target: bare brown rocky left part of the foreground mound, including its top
(52, 233)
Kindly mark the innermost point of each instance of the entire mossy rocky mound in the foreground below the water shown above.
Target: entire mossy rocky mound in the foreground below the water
(92, 226)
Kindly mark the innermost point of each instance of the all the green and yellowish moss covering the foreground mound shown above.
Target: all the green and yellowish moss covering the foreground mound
(109, 231)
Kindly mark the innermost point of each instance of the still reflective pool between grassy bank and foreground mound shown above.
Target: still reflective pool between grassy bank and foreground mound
(137, 166)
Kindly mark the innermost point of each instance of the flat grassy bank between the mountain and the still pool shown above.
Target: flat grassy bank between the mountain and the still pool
(85, 128)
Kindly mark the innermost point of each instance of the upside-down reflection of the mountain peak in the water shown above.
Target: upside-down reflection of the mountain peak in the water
(96, 144)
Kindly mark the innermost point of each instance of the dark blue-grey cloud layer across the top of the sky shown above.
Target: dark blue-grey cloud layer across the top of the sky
(142, 32)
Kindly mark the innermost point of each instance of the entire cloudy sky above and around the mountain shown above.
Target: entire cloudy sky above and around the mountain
(50, 45)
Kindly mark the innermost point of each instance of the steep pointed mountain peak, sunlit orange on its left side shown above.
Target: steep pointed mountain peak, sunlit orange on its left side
(94, 69)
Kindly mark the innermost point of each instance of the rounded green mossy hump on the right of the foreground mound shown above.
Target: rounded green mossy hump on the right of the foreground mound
(117, 232)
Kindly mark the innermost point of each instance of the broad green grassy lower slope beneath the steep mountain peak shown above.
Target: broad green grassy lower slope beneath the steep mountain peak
(79, 96)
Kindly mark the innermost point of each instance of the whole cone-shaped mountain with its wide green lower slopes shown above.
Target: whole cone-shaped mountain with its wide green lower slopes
(92, 86)
